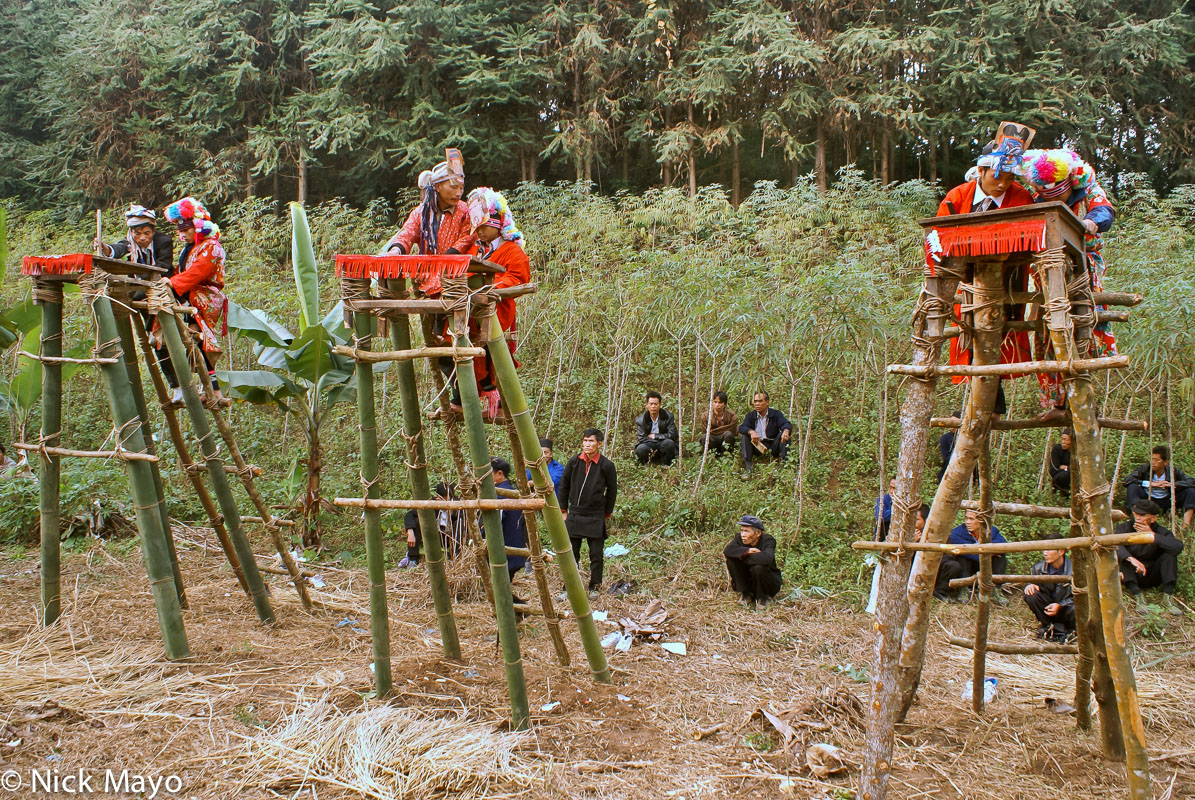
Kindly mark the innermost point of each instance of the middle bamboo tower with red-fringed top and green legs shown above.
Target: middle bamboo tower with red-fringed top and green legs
(468, 307)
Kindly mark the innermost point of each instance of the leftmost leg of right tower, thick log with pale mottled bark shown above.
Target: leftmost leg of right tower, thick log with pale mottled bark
(892, 606)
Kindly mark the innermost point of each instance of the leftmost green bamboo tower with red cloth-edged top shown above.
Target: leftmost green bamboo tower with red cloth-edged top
(121, 328)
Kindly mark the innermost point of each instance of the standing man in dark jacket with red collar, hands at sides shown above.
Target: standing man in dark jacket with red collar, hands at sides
(589, 490)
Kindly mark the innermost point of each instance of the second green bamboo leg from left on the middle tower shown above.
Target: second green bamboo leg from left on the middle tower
(418, 471)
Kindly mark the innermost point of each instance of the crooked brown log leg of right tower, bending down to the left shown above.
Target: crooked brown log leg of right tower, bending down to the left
(989, 321)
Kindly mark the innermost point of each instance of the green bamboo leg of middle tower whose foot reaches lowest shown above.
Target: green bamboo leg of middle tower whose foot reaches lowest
(504, 602)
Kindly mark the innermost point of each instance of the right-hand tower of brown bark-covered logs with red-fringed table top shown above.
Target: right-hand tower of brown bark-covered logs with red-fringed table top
(1046, 241)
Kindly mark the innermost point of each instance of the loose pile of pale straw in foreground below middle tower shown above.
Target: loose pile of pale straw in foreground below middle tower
(387, 753)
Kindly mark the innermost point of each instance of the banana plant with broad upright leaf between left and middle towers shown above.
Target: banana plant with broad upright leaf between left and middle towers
(304, 377)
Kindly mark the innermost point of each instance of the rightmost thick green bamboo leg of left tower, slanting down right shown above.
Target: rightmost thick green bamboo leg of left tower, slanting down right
(203, 430)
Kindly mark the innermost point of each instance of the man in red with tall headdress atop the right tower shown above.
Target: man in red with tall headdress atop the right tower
(992, 185)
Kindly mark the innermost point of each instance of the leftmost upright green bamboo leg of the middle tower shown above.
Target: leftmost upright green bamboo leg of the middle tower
(376, 554)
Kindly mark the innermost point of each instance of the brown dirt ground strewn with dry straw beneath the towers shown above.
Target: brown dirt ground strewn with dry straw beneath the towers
(95, 693)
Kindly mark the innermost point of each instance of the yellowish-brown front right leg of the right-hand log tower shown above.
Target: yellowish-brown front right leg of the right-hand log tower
(1094, 486)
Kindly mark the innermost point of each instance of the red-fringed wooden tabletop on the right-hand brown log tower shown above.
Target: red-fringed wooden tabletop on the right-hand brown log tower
(1021, 230)
